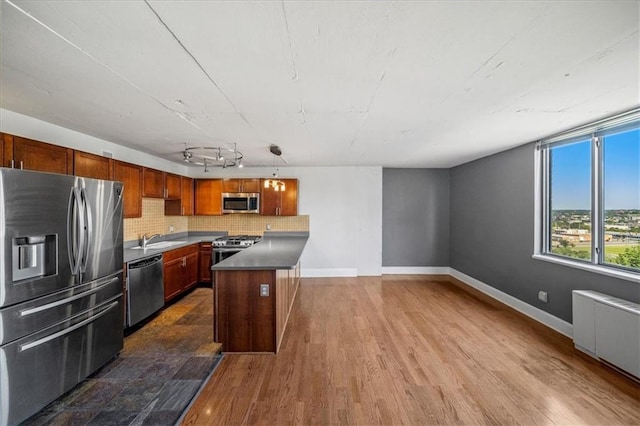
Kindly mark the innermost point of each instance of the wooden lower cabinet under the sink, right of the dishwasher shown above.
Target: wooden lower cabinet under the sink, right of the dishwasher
(180, 270)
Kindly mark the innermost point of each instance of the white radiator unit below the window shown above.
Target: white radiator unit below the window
(607, 328)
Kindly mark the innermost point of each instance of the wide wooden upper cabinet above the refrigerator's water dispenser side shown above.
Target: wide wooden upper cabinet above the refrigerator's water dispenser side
(33, 155)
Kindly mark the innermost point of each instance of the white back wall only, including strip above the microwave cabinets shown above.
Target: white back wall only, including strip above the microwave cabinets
(344, 205)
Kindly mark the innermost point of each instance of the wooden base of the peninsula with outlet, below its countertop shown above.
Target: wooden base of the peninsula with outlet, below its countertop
(247, 321)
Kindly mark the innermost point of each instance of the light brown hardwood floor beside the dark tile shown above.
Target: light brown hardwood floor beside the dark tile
(412, 350)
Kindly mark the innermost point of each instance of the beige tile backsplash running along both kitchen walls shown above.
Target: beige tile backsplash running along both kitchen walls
(153, 221)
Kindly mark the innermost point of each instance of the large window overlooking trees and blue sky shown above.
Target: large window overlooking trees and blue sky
(591, 194)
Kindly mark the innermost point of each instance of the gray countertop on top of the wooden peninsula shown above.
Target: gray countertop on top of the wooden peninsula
(274, 251)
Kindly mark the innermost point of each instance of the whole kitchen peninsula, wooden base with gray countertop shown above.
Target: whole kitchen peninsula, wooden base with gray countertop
(254, 293)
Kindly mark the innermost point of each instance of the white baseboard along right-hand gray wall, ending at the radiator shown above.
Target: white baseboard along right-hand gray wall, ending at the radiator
(539, 315)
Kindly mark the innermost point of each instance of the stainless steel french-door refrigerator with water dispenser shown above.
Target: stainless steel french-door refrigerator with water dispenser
(61, 303)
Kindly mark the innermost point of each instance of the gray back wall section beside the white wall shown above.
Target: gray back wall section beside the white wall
(415, 217)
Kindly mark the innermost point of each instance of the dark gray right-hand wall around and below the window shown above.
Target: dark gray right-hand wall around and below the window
(492, 232)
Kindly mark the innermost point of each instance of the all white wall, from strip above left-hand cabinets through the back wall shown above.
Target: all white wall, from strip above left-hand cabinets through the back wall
(344, 203)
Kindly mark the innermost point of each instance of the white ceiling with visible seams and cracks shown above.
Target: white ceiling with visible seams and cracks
(393, 84)
